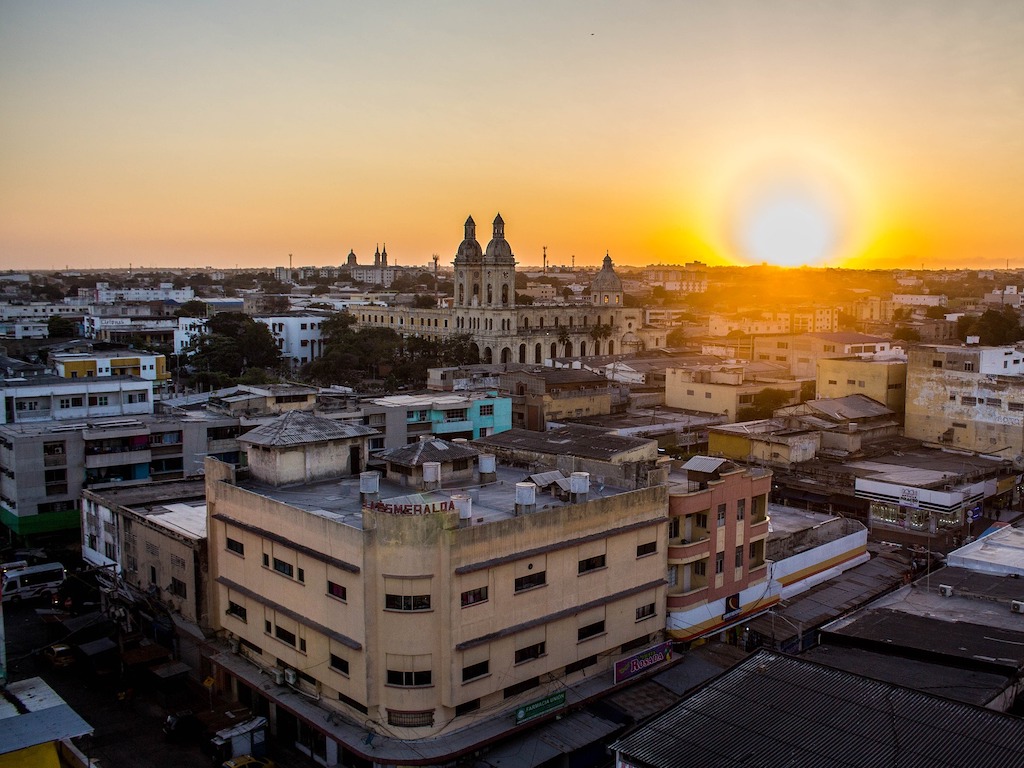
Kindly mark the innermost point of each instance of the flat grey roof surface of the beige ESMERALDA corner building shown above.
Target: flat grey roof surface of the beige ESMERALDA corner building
(339, 499)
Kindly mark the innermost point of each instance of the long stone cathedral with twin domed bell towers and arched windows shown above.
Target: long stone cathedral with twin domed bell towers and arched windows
(485, 308)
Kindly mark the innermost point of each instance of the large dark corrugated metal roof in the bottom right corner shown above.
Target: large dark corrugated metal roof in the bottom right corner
(774, 710)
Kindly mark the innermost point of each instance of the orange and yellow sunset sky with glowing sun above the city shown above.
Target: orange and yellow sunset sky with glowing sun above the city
(236, 134)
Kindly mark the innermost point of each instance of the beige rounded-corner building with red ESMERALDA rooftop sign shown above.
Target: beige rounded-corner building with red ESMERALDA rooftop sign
(372, 621)
